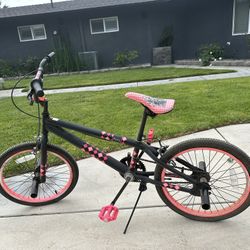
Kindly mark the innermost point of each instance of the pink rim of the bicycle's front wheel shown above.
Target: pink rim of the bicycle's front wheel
(17, 196)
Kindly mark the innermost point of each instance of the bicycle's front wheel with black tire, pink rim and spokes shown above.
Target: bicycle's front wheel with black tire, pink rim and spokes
(17, 166)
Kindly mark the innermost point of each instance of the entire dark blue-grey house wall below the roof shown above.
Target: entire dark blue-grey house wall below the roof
(195, 22)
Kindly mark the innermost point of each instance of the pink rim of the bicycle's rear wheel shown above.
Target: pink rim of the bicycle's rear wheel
(209, 213)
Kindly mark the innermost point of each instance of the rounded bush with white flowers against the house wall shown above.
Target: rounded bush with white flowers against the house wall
(210, 52)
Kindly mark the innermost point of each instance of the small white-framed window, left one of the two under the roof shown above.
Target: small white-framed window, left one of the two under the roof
(31, 32)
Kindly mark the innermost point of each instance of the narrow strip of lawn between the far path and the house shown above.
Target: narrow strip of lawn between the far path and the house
(115, 77)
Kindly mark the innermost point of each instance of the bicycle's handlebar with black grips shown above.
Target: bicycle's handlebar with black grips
(37, 83)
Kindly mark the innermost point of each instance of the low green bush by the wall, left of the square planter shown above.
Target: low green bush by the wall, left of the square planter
(125, 58)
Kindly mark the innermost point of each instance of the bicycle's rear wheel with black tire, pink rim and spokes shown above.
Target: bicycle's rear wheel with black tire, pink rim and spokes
(225, 163)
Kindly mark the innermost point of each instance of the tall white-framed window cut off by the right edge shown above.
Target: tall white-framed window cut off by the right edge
(241, 23)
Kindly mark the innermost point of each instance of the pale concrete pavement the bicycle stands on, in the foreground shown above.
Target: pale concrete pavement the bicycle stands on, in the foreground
(73, 223)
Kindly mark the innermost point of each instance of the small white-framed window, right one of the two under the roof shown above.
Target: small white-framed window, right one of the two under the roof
(104, 25)
